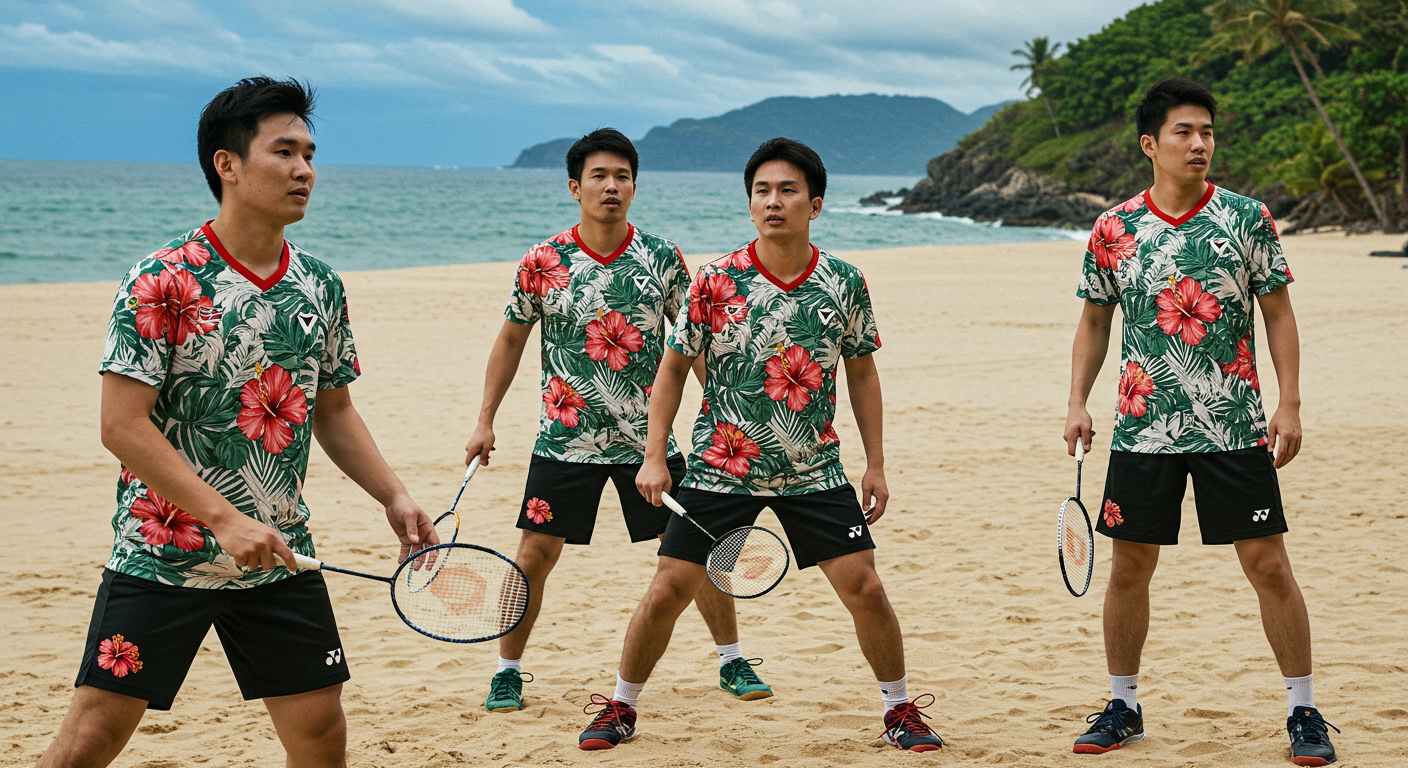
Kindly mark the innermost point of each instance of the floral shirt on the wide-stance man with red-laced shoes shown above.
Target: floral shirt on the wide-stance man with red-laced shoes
(771, 354)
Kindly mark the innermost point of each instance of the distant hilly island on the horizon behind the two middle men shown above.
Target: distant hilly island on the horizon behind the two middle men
(872, 135)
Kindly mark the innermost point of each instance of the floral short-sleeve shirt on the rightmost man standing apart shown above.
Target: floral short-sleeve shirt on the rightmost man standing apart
(1188, 380)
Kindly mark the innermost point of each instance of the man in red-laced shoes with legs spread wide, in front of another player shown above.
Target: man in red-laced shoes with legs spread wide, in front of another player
(772, 321)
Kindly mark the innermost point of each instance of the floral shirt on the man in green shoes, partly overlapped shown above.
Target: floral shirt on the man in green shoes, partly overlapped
(605, 319)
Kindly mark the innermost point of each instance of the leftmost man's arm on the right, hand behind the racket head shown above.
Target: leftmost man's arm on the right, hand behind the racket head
(348, 443)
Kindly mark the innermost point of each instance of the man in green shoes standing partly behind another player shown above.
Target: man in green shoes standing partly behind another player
(605, 294)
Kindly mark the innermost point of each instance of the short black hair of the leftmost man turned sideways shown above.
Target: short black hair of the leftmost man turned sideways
(232, 119)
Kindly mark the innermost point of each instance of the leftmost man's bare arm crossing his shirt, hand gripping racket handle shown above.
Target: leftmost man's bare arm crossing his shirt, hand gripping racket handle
(130, 435)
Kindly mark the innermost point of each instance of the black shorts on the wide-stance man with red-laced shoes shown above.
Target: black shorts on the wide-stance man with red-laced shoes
(820, 526)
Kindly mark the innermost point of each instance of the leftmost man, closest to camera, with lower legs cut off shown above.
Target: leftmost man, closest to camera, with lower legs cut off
(227, 352)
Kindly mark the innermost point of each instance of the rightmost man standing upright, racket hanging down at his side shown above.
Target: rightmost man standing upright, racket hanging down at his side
(1183, 261)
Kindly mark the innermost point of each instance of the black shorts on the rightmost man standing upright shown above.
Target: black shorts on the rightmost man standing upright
(1236, 491)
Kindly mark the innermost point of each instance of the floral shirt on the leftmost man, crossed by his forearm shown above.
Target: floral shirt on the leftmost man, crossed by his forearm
(239, 363)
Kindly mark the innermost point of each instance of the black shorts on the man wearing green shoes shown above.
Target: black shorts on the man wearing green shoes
(562, 498)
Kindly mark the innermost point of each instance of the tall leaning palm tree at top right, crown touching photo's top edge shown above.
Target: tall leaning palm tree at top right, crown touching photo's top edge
(1257, 27)
